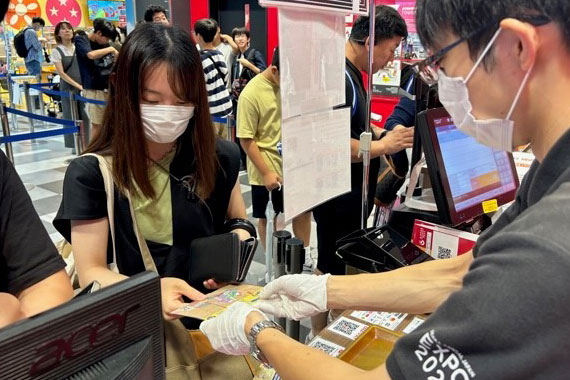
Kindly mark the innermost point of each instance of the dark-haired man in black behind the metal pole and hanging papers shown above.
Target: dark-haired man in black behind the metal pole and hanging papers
(342, 215)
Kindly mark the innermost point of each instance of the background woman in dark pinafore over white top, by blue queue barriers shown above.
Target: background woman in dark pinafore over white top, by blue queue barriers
(63, 56)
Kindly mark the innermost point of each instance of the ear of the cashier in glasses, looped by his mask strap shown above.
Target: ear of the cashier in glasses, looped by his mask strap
(528, 41)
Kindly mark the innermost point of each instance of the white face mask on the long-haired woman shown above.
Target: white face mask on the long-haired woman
(164, 124)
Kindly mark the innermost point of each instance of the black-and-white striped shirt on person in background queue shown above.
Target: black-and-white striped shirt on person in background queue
(218, 95)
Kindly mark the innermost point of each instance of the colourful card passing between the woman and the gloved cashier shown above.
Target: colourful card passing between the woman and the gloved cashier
(217, 301)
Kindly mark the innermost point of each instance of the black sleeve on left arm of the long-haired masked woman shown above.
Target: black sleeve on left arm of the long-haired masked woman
(84, 196)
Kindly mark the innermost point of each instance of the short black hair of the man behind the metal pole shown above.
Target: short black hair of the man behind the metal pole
(388, 24)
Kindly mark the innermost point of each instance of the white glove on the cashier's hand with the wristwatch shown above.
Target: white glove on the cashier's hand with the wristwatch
(226, 332)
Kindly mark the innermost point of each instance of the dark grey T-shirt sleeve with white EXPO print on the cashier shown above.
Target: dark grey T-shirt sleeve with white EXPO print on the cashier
(510, 320)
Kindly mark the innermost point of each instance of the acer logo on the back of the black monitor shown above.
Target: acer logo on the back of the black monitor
(51, 354)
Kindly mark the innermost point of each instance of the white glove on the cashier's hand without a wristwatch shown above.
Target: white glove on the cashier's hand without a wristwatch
(295, 296)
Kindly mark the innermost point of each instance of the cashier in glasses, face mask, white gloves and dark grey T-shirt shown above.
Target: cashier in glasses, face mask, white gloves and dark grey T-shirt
(502, 311)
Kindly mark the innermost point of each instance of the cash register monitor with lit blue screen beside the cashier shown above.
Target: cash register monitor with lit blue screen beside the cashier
(464, 174)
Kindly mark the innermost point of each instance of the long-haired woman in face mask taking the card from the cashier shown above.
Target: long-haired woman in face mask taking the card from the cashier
(158, 139)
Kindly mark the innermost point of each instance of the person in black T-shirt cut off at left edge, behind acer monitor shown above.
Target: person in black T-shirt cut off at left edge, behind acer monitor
(32, 274)
